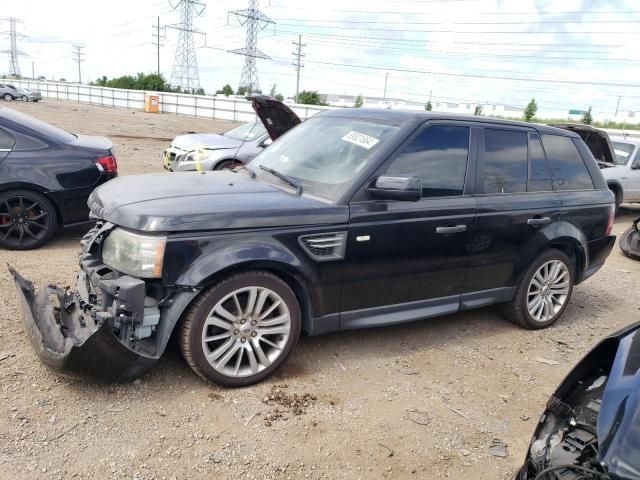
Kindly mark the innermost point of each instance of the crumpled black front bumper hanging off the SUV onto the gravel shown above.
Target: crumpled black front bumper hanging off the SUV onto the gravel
(72, 342)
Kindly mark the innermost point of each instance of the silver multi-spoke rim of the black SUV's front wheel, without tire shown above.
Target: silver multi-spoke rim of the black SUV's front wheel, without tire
(246, 331)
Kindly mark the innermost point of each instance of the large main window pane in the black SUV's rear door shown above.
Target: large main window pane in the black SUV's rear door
(505, 161)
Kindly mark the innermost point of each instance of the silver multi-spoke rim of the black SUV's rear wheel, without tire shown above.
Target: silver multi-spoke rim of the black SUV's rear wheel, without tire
(548, 291)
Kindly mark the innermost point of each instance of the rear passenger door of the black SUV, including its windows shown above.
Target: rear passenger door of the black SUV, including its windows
(516, 202)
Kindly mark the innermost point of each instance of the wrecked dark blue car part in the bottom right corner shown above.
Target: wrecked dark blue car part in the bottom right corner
(591, 426)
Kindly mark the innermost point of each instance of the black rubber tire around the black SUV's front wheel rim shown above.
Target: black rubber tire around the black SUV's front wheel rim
(193, 327)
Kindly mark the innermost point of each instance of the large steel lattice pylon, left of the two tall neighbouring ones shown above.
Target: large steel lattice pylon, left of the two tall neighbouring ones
(185, 66)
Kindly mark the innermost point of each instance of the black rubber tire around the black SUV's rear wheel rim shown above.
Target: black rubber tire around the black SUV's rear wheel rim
(517, 310)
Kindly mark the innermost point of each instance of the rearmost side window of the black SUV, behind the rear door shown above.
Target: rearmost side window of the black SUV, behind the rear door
(567, 166)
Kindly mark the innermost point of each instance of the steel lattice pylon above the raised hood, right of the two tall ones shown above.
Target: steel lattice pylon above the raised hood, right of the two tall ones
(255, 21)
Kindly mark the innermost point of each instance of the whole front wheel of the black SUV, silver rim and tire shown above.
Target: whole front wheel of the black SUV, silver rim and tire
(241, 330)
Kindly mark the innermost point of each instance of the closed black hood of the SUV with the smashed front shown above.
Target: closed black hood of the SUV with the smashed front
(205, 201)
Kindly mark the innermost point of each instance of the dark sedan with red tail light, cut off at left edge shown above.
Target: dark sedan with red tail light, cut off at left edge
(46, 176)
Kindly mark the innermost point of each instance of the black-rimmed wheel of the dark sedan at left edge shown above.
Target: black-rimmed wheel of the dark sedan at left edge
(28, 212)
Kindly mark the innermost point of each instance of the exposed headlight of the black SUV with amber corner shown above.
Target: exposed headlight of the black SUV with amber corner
(134, 254)
